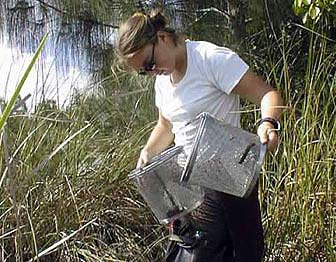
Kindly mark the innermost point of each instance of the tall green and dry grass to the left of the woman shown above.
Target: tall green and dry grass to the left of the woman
(69, 177)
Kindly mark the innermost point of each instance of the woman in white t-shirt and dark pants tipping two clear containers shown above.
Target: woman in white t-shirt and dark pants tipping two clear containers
(194, 77)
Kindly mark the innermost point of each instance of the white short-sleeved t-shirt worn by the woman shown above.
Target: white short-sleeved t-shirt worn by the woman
(212, 72)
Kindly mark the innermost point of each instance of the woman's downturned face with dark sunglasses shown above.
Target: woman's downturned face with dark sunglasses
(155, 58)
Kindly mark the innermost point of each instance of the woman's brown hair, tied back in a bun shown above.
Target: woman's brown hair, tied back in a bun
(139, 30)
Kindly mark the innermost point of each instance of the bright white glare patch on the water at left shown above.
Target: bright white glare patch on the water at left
(45, 82)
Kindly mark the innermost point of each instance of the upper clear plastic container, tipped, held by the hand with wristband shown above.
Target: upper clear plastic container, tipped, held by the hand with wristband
(223, 158)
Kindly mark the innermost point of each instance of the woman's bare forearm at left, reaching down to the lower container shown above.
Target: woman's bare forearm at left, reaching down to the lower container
(160, 138)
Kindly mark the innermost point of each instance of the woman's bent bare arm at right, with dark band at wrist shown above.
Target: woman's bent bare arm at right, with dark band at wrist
(254, 89)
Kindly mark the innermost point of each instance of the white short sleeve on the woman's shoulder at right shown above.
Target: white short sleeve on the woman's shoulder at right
(223, 67)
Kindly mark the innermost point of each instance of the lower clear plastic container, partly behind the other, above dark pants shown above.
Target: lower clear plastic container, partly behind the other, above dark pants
(159, 184)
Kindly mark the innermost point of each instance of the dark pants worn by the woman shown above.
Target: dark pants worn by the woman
(232, 230)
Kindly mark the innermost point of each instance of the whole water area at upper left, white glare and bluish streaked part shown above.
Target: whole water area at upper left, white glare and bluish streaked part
(72, 55)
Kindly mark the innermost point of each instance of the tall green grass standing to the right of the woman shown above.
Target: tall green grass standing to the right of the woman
(298, 188)
